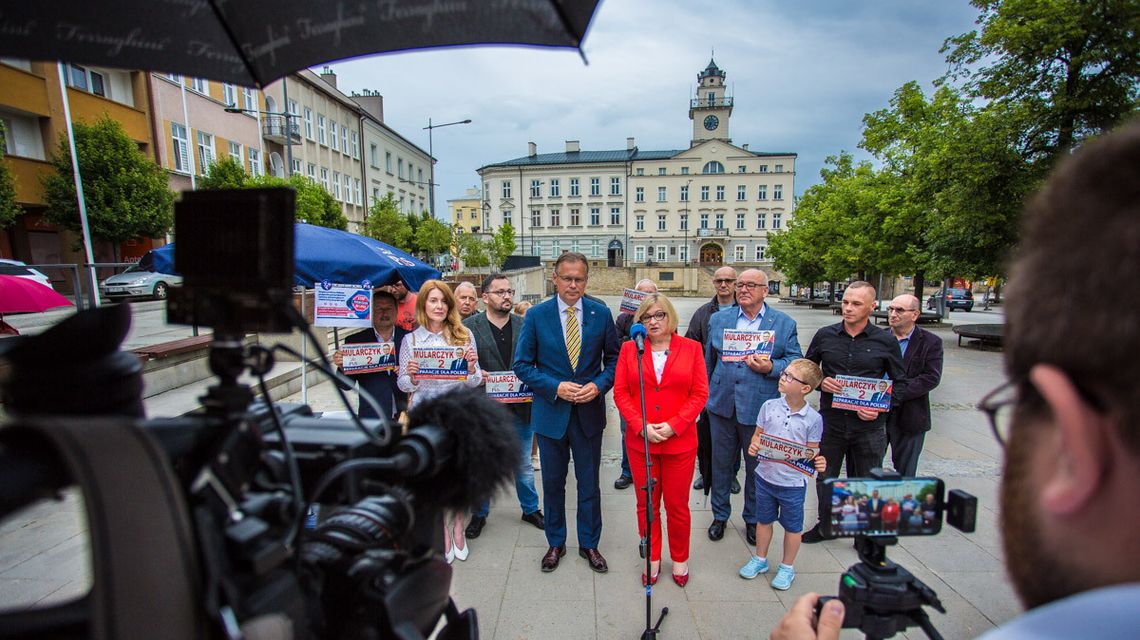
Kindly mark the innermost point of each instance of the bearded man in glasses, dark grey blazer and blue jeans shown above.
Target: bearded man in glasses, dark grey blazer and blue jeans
(496, 334)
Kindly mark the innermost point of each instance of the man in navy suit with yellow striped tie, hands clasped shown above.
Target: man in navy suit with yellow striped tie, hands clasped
(567, 354)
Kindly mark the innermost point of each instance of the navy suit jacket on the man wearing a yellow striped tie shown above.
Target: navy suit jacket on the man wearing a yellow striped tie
(542, 362)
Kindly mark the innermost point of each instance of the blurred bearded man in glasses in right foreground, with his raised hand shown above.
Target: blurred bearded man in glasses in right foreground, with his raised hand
(1070, 416)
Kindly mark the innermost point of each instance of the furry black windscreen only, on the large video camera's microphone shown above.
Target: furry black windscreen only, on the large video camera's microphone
(486, 449)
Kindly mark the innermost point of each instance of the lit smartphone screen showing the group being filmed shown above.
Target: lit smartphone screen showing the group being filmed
(872, 507)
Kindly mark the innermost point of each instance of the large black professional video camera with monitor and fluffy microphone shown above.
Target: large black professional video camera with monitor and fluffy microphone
(247, 519)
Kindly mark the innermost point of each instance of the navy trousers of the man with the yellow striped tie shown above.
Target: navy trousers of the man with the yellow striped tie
(588, 457)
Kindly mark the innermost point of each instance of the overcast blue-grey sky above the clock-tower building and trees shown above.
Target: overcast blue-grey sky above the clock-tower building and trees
(803, 75)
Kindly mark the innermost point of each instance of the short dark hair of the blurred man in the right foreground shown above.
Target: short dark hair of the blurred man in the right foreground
(1057, 310)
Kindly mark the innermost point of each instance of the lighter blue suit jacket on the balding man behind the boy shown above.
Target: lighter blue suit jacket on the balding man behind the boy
(734, 386)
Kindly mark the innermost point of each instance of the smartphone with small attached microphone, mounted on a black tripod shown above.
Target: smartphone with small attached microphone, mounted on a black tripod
(882, 598)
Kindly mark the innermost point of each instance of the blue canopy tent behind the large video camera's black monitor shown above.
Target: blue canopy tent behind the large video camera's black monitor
(330, 255)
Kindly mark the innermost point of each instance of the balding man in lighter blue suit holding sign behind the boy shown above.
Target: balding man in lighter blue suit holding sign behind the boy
(737, 391)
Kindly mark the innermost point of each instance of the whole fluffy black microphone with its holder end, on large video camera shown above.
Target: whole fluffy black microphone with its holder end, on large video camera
(461, 448)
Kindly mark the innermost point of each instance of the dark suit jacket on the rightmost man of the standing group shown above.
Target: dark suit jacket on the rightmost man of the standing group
(923, 363)
